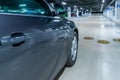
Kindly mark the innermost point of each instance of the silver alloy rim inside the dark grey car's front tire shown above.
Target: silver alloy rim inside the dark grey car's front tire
(74, 48)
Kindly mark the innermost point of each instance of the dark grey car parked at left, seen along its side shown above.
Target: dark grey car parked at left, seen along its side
(35, 43)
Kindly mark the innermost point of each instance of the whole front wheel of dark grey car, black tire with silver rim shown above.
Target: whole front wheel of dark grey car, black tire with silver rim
(72, 55)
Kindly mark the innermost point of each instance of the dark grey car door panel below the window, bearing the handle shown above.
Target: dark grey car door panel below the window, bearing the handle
(30, 46)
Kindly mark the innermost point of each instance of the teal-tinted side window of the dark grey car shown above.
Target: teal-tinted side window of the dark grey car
(23, 7)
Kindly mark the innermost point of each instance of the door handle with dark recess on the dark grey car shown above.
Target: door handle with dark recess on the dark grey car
(15, 39)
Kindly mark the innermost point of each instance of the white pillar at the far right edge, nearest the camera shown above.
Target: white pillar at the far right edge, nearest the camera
(117, 10)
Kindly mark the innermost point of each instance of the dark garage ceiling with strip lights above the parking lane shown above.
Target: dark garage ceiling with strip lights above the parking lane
(95, 5)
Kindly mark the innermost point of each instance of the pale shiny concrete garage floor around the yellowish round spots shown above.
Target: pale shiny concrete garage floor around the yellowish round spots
(96, 61)
